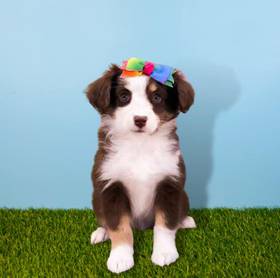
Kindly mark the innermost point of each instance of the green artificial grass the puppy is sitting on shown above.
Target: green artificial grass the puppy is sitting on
(55, 243)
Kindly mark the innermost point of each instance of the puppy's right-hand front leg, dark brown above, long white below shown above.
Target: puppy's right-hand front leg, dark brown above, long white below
(170, 205)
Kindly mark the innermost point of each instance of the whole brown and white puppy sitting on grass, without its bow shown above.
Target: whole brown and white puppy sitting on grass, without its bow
(139, 172)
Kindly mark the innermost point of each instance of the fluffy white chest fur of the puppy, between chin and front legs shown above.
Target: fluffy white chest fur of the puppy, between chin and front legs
(140, 162)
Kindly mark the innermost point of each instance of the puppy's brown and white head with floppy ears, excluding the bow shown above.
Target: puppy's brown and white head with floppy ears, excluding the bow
(138, 104)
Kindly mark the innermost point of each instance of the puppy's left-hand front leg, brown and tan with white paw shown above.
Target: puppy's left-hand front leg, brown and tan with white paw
(116, 210)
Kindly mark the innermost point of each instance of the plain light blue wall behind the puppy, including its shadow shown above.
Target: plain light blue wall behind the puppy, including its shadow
(50, 51)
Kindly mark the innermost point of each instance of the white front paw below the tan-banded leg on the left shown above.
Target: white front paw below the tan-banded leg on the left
(120, 259)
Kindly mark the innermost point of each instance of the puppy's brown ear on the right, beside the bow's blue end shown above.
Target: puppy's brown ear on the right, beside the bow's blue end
(184, 91)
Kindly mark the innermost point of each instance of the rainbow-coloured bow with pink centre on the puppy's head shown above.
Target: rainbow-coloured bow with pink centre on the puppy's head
(136, 67)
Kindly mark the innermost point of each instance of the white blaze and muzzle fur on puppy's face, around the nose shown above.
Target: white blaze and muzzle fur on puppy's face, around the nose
(139, 106)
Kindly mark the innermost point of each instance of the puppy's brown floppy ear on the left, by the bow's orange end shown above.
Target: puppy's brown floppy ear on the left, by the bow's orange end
(99, 91)
